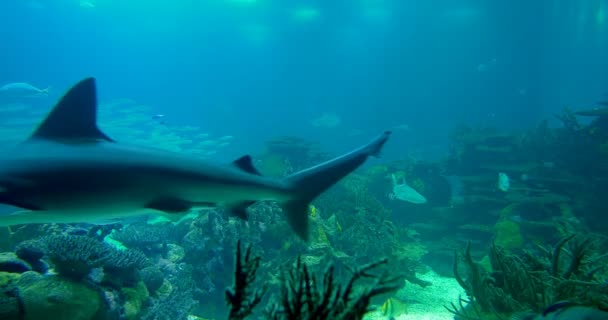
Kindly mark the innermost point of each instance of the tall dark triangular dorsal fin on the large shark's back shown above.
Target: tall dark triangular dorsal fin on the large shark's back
(74, 117)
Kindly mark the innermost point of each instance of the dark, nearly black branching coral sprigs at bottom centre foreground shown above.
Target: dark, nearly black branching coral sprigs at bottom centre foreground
(306, 295)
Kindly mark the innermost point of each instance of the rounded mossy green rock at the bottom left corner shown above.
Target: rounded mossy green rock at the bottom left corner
(57, 298)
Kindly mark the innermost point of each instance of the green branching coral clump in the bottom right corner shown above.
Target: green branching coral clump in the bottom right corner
(530, 281)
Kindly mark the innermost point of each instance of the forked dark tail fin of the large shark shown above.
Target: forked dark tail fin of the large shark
(307, 184)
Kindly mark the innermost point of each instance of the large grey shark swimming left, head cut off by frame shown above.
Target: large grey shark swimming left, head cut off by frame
(69, 171)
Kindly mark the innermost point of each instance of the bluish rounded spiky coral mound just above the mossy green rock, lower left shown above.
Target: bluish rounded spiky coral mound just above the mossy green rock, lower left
(76, 256)
